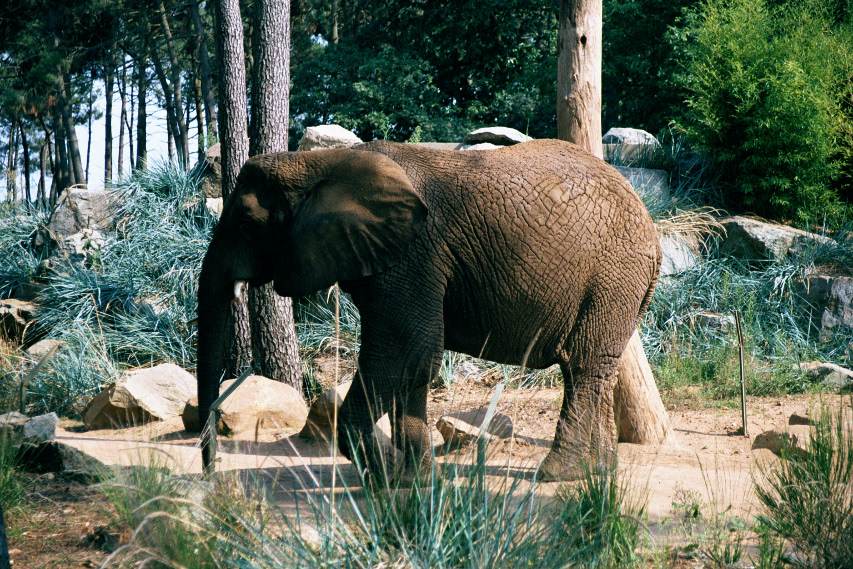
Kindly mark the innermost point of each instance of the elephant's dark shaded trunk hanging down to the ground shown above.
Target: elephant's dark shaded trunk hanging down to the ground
(220, 269)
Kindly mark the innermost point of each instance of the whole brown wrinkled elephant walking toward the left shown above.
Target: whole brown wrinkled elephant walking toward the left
(481, 252)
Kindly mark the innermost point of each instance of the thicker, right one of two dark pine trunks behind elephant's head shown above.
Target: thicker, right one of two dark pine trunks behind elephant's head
(273, 332)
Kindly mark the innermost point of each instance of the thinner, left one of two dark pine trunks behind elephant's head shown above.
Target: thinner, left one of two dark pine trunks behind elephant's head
(235, 145)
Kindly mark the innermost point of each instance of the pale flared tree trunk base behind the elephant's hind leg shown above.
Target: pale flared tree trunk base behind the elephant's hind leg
(640, 414)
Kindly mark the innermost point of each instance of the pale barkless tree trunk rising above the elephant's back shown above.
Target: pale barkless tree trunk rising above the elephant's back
(579, 74)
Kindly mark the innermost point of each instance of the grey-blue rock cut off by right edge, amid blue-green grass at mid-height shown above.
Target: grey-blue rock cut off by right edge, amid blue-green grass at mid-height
(831, 300)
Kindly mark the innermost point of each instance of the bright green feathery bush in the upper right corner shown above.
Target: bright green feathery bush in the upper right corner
(769, 100)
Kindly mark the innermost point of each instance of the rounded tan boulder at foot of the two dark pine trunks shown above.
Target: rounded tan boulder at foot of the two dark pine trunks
(264, 402)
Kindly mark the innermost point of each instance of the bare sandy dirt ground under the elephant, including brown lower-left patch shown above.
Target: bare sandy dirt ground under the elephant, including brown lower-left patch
(704, 462)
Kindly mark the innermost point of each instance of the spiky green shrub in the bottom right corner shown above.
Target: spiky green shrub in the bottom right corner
(807, 496)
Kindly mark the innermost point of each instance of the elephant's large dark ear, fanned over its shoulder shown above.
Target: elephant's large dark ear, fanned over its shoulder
(354, 215)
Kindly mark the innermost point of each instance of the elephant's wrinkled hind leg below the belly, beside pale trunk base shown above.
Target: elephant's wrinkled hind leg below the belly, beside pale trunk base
(586, 431)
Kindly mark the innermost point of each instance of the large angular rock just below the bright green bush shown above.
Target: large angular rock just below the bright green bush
(756, 240)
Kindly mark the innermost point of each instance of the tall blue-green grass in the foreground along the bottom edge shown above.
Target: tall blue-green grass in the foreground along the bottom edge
(456, 516)
